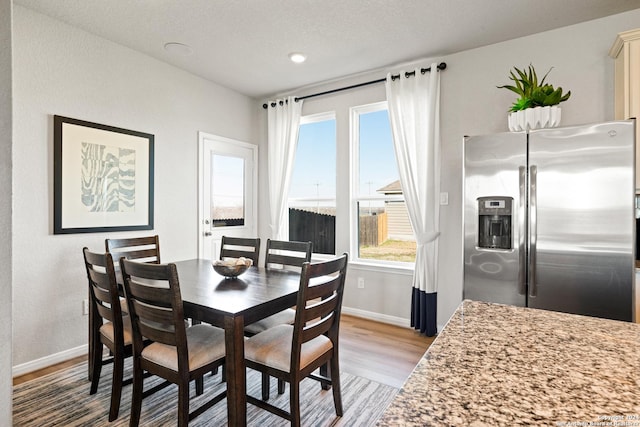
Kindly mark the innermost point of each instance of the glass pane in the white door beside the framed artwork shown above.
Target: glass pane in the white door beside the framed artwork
(227, 191)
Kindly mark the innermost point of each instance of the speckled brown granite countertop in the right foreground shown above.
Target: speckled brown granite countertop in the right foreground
(498, 365)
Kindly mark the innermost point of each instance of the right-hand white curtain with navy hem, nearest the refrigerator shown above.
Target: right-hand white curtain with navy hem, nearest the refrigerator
(414, 115)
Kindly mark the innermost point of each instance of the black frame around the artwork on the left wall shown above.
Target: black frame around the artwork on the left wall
(58, 184)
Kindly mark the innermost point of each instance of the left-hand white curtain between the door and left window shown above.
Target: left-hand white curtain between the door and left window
(283, 121)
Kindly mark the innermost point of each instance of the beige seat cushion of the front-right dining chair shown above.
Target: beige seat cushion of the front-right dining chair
(273, 348)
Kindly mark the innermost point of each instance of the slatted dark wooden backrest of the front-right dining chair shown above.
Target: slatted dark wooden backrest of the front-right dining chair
(319, 303)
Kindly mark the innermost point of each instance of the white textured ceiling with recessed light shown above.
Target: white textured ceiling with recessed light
(244, 44)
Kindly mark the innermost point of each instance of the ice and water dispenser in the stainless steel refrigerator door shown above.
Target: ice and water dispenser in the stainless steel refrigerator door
(494, 222)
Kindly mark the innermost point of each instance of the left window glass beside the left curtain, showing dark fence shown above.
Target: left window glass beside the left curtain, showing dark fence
(312, 194)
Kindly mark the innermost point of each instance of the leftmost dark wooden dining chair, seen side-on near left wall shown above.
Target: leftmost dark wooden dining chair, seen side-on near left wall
(110, 326)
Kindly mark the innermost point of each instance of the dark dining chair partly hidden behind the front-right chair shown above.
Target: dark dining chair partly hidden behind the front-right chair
(280, 254)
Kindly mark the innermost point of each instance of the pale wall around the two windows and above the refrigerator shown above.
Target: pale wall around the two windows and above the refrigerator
(470, 104)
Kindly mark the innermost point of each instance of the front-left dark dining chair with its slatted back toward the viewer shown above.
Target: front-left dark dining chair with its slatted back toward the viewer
(177, 353)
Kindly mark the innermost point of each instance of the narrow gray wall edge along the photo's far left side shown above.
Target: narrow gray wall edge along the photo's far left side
(5, 209)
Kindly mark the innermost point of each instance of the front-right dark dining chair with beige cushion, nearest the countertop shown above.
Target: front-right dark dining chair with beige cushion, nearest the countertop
(294, 352)
